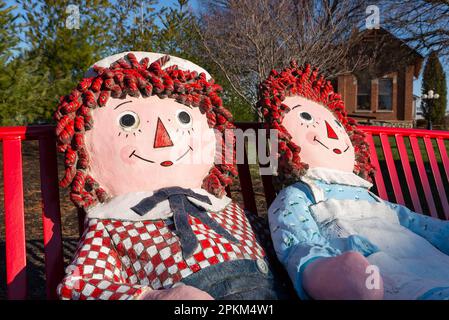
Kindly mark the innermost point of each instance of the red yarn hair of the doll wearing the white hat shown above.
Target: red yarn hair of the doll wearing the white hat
(131, 77)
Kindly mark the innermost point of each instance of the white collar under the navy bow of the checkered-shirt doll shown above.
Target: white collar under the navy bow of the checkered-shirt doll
(119, 207)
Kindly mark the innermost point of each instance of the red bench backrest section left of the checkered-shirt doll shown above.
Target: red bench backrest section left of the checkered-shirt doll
(15, 245)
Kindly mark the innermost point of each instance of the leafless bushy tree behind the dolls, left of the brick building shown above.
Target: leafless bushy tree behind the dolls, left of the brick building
(246, 39)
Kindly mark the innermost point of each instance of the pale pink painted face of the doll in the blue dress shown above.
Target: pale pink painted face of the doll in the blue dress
(322, 138)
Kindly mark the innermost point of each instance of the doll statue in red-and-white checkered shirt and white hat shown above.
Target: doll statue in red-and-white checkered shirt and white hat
(139, 139)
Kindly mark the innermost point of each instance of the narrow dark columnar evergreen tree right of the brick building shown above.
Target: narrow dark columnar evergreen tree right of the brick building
(434, 78)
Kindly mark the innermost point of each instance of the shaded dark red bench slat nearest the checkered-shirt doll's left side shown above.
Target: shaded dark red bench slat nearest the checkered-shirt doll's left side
(51, 215)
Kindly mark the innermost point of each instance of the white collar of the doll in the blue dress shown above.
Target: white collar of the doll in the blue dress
(334, 176)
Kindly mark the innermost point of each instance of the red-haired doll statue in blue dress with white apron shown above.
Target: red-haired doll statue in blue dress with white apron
(330, 232)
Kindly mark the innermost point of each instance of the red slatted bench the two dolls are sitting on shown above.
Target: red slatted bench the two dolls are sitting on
(424, 188)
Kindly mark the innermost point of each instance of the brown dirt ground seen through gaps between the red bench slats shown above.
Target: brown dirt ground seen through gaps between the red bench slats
(33, 221)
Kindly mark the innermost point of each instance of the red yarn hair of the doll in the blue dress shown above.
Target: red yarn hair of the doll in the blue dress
(308, 83)
